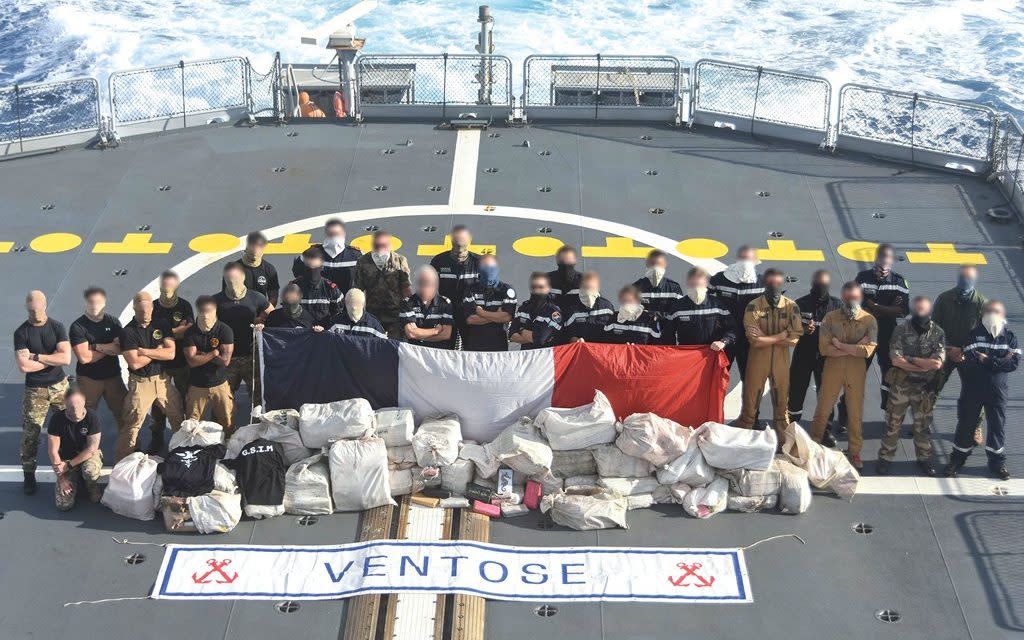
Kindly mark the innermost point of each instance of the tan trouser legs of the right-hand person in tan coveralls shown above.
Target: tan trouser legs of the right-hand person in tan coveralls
(844, 374)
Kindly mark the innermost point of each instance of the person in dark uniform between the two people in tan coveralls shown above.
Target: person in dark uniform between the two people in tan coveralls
(807, 360)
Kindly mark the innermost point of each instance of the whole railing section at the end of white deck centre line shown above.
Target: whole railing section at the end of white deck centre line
(434, 87)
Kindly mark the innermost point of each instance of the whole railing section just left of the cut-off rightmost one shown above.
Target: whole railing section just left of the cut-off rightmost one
(916, 129)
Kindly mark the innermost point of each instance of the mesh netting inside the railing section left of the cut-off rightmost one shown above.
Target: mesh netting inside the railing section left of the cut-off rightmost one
(918, 122)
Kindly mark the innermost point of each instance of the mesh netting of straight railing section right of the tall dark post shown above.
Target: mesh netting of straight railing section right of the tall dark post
(635, 81)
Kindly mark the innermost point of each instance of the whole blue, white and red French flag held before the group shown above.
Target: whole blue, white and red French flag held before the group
(490, 392)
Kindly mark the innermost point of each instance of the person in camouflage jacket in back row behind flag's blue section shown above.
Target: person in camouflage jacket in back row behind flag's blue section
(383, 276)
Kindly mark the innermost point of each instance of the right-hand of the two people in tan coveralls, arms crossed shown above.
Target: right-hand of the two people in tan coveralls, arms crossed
(847, 338)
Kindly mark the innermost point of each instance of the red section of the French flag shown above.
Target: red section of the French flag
(684, 383)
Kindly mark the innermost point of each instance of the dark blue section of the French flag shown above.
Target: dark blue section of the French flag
(301, 367)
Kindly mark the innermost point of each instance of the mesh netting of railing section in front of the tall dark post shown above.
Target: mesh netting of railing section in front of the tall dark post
(439, 80)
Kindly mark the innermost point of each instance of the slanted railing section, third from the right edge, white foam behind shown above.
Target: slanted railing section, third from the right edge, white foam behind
(761, 102)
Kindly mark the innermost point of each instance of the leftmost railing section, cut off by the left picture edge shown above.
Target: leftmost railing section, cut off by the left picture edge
(49, 115)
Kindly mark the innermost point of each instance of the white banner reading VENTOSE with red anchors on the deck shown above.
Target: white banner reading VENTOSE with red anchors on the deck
(495, 572)
